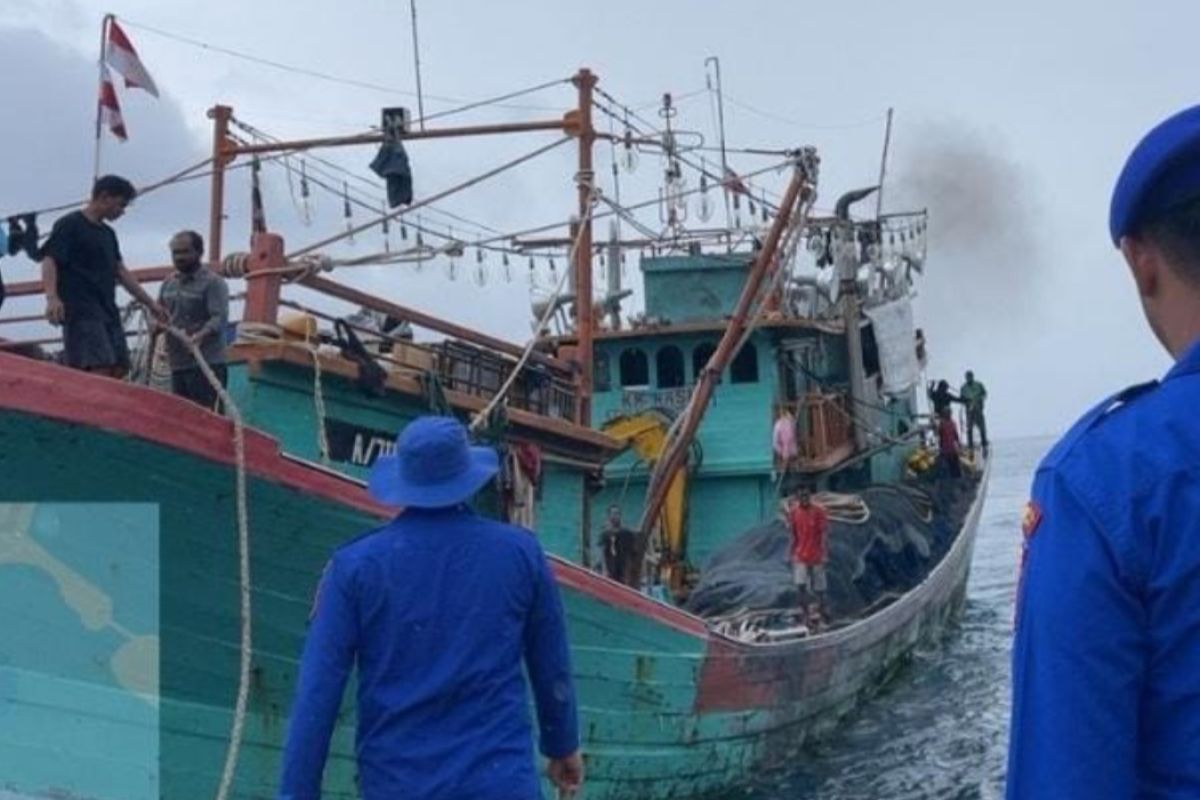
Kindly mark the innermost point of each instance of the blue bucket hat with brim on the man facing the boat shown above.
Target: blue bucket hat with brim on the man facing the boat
(434, 466)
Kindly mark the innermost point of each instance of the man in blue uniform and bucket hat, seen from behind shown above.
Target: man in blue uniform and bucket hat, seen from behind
(439, 609)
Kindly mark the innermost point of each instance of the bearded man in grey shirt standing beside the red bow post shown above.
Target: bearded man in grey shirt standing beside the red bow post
(197, 303)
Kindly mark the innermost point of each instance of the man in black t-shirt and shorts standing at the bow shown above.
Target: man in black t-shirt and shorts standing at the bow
(81, 269)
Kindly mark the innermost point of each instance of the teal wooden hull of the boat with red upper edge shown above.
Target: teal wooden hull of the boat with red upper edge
(669, 709)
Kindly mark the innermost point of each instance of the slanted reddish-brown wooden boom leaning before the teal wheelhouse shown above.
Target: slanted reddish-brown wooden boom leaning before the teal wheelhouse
(801, 190)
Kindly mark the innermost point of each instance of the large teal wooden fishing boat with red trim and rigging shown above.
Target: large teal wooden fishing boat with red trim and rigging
(665, 417)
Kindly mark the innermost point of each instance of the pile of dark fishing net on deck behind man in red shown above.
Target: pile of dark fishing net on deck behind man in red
(873, 557)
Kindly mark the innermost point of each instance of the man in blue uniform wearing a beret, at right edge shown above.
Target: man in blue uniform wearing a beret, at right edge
(1107, 659)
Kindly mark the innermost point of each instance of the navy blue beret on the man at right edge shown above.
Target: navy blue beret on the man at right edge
(1162, 172)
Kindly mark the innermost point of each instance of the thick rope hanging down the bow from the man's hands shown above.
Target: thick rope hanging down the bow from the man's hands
(244, 582)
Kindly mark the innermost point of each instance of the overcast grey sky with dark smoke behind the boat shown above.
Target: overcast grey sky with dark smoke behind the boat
(1012, 122)
